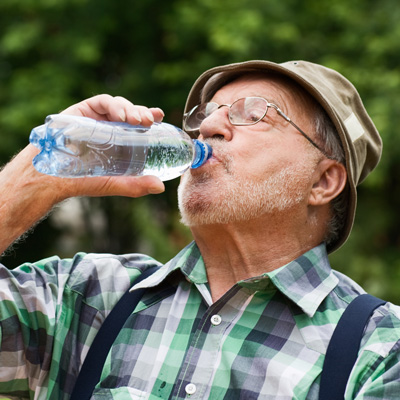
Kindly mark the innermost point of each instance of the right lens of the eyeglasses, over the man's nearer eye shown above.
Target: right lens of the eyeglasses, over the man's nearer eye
(248, 111)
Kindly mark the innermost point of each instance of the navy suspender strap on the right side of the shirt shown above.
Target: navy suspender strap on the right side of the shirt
(344, 345)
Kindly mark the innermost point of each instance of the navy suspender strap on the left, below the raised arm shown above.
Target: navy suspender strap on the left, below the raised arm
(90, 372)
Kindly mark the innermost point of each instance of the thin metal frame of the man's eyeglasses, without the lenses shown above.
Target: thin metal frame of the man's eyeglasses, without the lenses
(268, 105)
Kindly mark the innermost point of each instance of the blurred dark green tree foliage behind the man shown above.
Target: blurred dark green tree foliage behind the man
(56, 52)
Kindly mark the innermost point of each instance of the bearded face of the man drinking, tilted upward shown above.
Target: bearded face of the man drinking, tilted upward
(255, 170)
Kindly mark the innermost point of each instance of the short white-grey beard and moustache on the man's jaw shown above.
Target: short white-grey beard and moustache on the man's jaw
(211, 198)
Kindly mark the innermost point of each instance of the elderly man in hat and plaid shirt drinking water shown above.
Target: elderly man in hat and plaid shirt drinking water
(247, 310)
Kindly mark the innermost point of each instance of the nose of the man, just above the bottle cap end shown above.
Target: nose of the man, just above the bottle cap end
(217, 125)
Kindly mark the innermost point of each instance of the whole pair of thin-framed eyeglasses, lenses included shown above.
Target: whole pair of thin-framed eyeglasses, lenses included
(243, 112)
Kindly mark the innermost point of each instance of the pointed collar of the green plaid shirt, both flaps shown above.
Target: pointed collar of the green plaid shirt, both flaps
(306, 281)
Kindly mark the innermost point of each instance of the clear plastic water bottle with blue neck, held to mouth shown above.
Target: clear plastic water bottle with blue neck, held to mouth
(72, 146)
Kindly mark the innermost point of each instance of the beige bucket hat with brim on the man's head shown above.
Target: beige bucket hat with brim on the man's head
(360, 139)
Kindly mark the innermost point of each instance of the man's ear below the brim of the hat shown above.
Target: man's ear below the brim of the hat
(329, 181)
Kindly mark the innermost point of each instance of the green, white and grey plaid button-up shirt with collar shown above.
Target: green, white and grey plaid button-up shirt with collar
(264, 339)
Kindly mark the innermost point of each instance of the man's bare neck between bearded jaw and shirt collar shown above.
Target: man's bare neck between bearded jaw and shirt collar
(237, 251)
